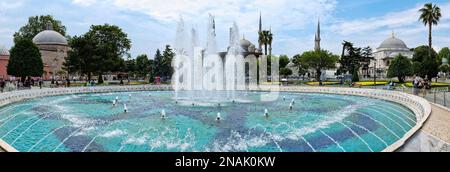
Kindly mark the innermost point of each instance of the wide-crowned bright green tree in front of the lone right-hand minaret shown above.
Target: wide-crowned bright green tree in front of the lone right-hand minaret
(319, 60)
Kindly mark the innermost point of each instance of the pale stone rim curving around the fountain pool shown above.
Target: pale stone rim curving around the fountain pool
(418, 105)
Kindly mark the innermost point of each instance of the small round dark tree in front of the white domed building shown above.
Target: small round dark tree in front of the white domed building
(400, 67)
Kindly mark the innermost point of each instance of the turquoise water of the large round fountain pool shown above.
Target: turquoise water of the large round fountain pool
(317, 122)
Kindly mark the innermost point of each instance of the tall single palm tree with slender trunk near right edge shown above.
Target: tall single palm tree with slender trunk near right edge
(430, 15)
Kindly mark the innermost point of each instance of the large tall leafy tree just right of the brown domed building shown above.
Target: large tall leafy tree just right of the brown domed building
(111, 44)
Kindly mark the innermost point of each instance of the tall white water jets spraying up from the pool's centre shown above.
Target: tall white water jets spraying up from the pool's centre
(201, 74)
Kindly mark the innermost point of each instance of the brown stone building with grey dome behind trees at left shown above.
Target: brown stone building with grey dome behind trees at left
(53, 47)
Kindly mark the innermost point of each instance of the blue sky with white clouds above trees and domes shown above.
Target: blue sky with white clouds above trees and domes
(151, 24)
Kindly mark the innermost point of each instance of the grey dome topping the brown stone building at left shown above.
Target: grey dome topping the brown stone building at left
(49, 37)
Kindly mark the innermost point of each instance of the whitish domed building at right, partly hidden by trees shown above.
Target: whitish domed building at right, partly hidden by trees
(385, 53)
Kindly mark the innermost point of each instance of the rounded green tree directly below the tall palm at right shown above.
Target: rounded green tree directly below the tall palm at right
(429, 66)
